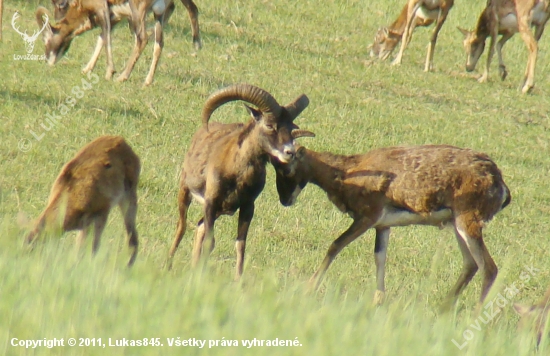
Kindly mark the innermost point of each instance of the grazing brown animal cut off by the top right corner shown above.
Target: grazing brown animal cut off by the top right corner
(505, 18)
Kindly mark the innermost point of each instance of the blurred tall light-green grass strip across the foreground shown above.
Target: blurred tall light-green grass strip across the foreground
(54, 292)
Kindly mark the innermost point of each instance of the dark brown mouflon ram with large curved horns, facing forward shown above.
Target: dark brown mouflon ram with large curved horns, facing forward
(224, 169)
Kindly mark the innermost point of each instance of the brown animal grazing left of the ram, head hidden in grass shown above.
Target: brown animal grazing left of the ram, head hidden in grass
(104, 173)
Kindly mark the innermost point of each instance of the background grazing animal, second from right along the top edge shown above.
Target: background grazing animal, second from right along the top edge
(414, 13)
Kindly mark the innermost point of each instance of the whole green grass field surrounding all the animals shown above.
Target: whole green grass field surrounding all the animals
(289, 48)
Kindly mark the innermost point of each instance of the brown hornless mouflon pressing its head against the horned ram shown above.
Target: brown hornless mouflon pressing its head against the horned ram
(400, 186)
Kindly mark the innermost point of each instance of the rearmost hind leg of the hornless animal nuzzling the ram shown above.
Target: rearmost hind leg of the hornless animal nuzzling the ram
(470, 230)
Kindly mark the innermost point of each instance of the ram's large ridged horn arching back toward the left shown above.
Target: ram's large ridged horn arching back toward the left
(245, 92)
